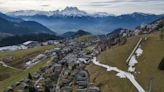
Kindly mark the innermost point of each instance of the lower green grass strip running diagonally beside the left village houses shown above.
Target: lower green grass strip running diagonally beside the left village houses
(18, 75)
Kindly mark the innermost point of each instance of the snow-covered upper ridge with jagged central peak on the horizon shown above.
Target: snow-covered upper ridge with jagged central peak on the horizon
(68, 11)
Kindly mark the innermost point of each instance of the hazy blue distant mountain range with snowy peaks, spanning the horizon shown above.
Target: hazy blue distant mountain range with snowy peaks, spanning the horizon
(73, 19)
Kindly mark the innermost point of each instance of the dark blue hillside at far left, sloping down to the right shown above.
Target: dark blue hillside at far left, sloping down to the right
(7, 25)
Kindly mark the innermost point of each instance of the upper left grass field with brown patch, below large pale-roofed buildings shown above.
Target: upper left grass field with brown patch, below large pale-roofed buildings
(18, 57)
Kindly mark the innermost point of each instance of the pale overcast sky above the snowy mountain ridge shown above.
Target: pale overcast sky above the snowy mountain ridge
(116, 7)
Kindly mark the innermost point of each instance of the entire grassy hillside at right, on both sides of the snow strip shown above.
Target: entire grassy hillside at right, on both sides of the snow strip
(147, 66)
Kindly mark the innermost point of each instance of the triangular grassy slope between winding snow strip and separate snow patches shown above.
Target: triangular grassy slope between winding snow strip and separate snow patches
(117, 55)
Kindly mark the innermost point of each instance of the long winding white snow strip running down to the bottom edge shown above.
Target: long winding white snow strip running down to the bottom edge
(122, 73)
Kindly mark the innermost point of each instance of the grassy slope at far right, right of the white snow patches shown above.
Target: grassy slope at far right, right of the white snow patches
(153, 53)
